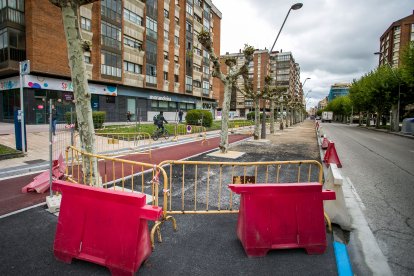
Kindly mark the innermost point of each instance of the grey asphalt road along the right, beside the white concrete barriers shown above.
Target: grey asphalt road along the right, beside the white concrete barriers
(381, 168)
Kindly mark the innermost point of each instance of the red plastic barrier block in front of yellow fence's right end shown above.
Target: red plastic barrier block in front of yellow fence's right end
(279, 216)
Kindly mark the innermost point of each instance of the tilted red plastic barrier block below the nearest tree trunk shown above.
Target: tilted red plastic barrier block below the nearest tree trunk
(103, 226)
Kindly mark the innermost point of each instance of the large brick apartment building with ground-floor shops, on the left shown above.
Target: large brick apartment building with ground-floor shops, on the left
(141, 56)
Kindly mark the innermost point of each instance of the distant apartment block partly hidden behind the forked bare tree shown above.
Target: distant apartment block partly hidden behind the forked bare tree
(280, 66)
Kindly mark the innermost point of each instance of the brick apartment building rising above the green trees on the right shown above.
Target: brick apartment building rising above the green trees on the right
(398, 35)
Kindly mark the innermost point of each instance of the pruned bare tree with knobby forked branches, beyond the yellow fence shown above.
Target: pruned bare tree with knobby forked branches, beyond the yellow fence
(228, 80)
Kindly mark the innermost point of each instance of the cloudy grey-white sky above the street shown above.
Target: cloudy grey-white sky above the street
(332, 40)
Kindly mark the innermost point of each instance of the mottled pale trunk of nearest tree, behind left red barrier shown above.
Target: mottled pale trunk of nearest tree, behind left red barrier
(70, 16)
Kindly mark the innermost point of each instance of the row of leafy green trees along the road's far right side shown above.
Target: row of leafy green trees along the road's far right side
(376, 94)
